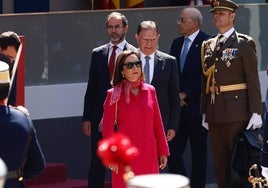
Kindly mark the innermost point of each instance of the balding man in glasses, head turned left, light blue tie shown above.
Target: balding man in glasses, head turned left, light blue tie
(190, 70)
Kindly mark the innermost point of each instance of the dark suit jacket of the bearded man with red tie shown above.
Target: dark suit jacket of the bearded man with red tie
(98, 84)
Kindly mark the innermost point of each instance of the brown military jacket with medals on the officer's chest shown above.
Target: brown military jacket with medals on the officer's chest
(235, 63)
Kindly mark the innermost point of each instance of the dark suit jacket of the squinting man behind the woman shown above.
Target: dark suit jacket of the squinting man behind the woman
(166, 82)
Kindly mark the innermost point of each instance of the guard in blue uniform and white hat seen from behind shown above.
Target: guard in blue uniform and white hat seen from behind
(19, 146)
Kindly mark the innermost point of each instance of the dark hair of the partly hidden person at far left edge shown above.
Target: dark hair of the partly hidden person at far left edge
(9, 38)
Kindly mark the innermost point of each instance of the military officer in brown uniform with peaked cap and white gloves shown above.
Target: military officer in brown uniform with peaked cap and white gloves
(231, 98)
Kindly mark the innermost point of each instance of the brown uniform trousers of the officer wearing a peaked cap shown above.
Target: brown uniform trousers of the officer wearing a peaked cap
(222, 136)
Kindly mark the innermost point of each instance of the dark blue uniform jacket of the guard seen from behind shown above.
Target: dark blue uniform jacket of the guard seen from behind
(18, 142)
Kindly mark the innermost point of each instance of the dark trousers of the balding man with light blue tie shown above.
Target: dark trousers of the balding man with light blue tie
(190, 129)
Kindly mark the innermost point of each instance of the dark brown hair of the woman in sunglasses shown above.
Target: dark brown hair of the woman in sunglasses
(118, 77)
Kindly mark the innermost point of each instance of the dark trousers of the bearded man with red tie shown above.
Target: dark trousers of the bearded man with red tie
(96, 175)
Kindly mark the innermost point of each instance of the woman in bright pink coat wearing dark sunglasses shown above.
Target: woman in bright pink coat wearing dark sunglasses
(138, 117)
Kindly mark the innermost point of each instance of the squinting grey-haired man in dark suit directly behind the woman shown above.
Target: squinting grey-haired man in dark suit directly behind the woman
(162, 74)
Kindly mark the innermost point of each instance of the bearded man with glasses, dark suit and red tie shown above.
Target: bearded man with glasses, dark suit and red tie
(100, 75)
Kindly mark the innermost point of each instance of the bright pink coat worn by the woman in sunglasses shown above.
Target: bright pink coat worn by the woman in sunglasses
(141, 121)
